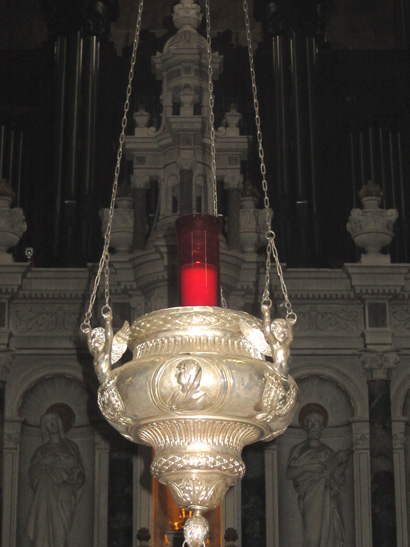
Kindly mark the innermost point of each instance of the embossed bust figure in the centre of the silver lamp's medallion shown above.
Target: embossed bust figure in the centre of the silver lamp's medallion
(189, 395)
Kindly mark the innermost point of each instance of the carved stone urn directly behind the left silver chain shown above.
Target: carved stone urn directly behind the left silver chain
(122, 231)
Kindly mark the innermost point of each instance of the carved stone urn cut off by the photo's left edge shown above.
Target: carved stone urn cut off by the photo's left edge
(12, 222)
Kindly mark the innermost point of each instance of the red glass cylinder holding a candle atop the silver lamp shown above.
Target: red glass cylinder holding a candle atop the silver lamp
(198, 250)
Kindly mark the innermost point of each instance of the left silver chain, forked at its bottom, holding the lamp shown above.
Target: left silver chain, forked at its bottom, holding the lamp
(104, 263)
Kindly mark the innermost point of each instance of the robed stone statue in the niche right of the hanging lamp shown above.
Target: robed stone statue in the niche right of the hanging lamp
(318, 475)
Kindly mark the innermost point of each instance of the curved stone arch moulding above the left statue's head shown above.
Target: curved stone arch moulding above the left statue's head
(30, 377)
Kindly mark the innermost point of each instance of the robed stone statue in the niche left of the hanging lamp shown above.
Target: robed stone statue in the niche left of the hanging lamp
(56, 476)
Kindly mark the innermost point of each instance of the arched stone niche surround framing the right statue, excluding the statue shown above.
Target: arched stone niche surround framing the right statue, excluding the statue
(345, 400)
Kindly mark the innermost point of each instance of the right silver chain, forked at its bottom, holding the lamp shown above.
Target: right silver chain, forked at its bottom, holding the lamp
(271, 250)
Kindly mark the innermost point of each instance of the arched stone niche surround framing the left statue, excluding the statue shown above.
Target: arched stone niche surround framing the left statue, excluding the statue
(57, 386)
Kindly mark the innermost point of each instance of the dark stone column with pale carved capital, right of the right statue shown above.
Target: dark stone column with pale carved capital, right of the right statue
(379, 367)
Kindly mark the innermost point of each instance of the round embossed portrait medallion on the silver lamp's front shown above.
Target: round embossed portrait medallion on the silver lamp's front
(186, 384)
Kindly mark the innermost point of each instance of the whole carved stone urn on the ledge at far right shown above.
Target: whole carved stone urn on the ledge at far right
(372, 226)
